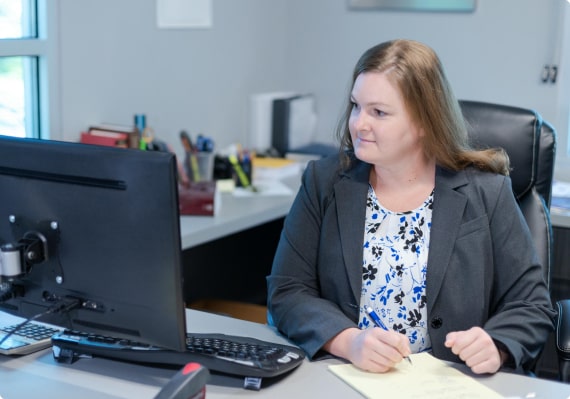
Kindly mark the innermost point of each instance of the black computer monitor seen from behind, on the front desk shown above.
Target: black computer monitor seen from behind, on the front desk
(93, 223)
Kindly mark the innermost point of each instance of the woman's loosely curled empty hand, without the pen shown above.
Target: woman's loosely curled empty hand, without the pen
(476, 348)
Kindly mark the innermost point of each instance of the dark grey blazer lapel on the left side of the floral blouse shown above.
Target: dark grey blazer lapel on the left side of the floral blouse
(351, 192)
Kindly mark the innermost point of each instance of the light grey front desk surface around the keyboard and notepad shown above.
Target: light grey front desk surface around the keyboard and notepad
(26, 377)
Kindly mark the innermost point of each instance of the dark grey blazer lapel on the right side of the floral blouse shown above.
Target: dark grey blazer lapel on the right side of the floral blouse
(448, 207)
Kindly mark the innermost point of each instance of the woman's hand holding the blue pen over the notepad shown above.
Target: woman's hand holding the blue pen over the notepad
(371, 349)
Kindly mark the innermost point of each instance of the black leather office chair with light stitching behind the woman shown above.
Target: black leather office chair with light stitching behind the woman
(530, 143)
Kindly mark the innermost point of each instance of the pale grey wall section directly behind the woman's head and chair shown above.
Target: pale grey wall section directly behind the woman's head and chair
(494, 54)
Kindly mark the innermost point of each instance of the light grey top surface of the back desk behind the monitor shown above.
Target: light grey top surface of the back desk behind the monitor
(236, 214)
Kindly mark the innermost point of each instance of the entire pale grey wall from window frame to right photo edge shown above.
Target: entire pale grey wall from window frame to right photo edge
(115, 62)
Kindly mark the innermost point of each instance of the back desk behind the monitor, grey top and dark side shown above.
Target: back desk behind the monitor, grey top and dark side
(227, 256)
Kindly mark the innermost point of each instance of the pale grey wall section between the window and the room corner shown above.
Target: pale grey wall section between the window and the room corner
(115, 63)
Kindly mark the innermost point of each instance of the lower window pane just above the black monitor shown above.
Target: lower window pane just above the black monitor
(18, 96)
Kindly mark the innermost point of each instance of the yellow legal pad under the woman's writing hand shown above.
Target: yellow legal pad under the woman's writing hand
(426, 378)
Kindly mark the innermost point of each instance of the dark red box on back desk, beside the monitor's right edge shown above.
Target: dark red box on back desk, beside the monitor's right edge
(197, 198)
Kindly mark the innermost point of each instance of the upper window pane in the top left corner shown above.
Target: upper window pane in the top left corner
(17, 19)
